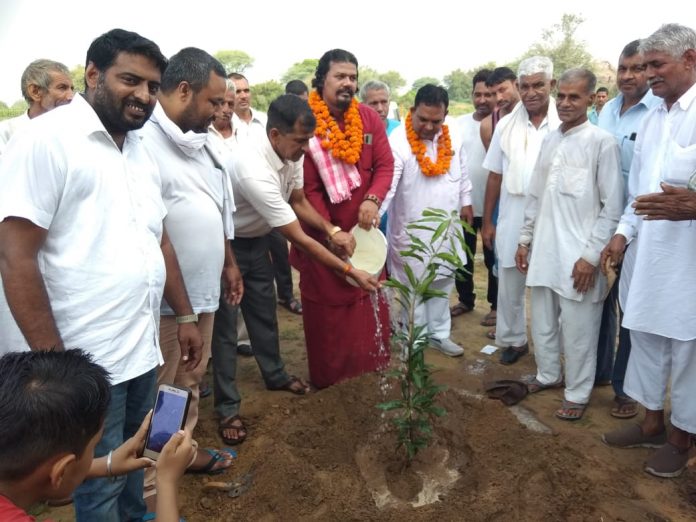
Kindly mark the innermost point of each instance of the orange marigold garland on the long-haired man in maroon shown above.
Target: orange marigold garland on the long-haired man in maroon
(345, 144)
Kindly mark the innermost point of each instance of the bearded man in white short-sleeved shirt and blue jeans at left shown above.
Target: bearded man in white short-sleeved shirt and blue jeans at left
(83, 250)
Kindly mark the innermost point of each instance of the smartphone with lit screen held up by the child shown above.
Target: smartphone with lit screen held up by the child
(168, 417)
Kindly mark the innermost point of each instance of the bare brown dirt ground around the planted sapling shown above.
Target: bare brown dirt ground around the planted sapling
(312, 457)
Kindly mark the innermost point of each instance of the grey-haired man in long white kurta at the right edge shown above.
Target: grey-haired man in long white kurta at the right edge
(660, 310)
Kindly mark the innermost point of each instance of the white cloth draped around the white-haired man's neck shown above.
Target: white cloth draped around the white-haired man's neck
(513, 142)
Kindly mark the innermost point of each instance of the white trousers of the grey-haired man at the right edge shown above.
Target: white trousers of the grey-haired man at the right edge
(653, 361)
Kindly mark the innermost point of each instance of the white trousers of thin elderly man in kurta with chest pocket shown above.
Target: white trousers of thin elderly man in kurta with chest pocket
(562, 326)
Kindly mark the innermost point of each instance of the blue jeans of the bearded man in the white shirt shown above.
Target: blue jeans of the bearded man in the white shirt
(119, 499)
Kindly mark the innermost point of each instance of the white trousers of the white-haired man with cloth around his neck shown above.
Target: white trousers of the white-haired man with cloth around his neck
(511, 318)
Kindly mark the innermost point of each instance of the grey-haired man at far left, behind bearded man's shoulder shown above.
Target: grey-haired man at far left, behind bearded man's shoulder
(45, 85)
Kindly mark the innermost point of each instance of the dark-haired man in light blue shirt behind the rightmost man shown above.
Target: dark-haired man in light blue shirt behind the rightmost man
(622, 116)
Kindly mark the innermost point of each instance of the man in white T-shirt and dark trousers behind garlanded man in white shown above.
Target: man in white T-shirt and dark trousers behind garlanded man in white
(469, 127)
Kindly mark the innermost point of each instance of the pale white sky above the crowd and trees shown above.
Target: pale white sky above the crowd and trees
(416, 39)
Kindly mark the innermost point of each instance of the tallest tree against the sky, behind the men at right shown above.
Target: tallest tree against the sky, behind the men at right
(561, 45)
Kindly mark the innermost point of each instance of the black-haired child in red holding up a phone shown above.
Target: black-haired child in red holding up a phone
(52, 408)
